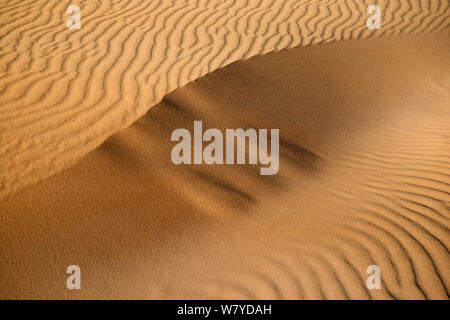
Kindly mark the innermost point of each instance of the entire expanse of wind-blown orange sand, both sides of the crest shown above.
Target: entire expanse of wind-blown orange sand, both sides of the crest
(364, 149)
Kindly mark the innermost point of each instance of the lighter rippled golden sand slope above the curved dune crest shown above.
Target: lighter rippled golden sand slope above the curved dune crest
(63, 92)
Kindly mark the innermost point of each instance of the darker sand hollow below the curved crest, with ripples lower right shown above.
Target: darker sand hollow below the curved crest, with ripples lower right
(364, 179)
